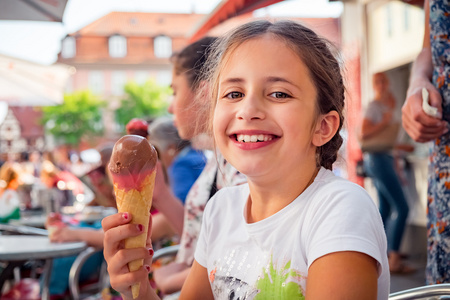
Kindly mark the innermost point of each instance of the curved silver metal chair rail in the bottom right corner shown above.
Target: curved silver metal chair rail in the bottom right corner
(436, 291)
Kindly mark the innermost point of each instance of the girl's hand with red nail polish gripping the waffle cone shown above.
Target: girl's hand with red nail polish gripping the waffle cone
(116, 230)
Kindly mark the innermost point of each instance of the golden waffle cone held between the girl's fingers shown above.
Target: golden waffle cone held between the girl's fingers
(138, 203)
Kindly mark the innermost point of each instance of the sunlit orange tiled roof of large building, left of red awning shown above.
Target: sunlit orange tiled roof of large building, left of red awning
(141, 24)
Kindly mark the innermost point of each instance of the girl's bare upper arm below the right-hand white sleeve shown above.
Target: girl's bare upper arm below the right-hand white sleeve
(342, 275)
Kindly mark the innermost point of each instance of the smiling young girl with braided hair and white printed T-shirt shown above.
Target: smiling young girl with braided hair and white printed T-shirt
(295, 231)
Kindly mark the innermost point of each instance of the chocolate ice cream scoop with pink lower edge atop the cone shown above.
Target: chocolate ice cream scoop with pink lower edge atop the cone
(132, 159)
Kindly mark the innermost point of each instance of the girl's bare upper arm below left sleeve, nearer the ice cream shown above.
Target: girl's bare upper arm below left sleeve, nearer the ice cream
(197, 284)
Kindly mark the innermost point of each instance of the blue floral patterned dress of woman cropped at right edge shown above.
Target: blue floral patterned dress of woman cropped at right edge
(438, 265)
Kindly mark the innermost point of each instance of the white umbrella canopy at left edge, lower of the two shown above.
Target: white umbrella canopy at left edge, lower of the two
(24, 83)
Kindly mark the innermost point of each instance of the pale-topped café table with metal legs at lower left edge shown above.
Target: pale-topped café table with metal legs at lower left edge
(15, 250)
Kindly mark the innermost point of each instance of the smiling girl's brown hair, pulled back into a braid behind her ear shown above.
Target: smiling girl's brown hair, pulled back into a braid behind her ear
(315, 52)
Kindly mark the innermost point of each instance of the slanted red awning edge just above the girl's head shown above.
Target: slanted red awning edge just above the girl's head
(225, 10)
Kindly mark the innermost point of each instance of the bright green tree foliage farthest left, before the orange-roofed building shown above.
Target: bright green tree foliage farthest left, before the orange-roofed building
(80, 114)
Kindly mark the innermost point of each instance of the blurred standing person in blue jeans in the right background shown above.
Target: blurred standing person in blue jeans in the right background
(380, 165)
